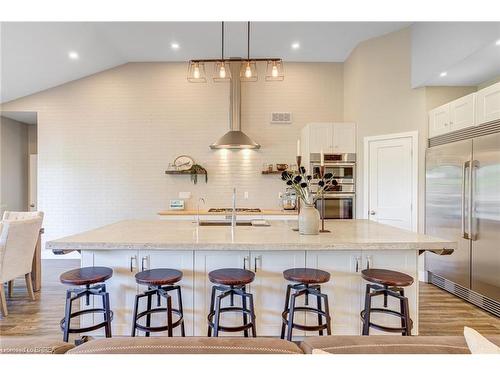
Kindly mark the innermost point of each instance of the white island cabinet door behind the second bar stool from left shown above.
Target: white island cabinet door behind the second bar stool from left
(179, 260)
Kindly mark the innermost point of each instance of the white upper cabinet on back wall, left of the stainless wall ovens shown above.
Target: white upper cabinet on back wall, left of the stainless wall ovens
(329, 137)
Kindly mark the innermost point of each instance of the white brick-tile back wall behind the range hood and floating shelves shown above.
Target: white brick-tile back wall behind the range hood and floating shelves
(106, 140)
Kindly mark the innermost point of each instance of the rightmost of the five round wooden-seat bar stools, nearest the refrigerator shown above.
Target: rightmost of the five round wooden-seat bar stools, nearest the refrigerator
(389, 284)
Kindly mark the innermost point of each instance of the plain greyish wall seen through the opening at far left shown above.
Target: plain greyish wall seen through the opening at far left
(13, 165)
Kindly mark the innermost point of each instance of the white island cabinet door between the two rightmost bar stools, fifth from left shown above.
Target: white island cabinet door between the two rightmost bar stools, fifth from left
(343, 289)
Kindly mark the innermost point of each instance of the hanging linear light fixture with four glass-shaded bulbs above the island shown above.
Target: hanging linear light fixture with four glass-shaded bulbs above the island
(248, 69)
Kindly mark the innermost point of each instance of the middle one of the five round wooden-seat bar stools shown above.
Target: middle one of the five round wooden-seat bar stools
(230, 282)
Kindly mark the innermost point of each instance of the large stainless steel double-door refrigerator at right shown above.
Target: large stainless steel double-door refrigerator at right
(463, 204)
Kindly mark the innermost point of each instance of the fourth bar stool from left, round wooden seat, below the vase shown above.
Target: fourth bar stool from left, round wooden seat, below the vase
(304, 277)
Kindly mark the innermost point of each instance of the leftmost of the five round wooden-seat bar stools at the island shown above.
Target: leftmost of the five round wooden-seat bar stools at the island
(88, 276)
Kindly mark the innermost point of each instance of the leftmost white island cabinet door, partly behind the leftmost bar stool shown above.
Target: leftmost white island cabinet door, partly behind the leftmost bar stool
(121, 287)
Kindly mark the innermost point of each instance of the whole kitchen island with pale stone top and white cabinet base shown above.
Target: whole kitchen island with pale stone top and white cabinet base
(352, 245)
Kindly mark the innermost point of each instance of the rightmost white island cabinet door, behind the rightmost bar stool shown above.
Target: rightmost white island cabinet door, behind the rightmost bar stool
(405, 261)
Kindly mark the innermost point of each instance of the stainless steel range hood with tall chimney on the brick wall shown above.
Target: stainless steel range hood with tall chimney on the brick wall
(235, 138)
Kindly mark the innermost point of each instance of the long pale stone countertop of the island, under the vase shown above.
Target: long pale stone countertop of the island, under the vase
(182, 235)
